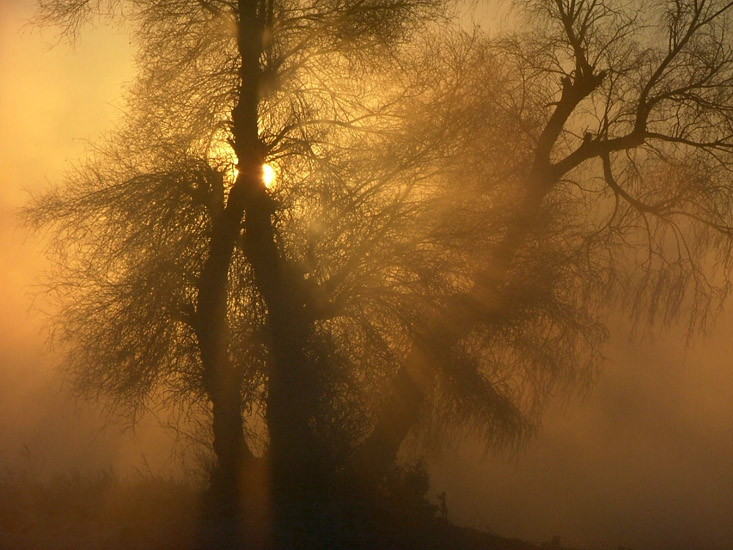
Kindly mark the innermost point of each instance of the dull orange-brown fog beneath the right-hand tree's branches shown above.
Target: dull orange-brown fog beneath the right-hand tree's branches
(643, 462)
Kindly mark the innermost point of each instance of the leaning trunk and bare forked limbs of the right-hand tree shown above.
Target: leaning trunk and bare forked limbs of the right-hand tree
(577, 21)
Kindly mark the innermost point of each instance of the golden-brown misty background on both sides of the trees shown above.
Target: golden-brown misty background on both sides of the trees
(645, 460)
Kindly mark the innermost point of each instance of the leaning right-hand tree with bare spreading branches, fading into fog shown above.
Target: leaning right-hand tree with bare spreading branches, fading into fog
(623, 195)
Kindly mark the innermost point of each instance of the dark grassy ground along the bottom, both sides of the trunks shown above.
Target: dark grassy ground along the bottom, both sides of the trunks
(105, 511)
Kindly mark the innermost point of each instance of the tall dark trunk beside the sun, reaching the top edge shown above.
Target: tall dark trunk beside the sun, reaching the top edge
(289, 406)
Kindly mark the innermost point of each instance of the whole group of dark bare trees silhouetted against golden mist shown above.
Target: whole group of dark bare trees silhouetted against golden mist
(450, 215)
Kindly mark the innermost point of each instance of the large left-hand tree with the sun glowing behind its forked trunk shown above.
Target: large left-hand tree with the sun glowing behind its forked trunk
(188, 276)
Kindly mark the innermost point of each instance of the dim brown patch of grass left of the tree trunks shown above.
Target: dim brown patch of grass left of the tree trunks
(96, 511)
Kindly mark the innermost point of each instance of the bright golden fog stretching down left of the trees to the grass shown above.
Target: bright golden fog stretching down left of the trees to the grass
(53, 100)
